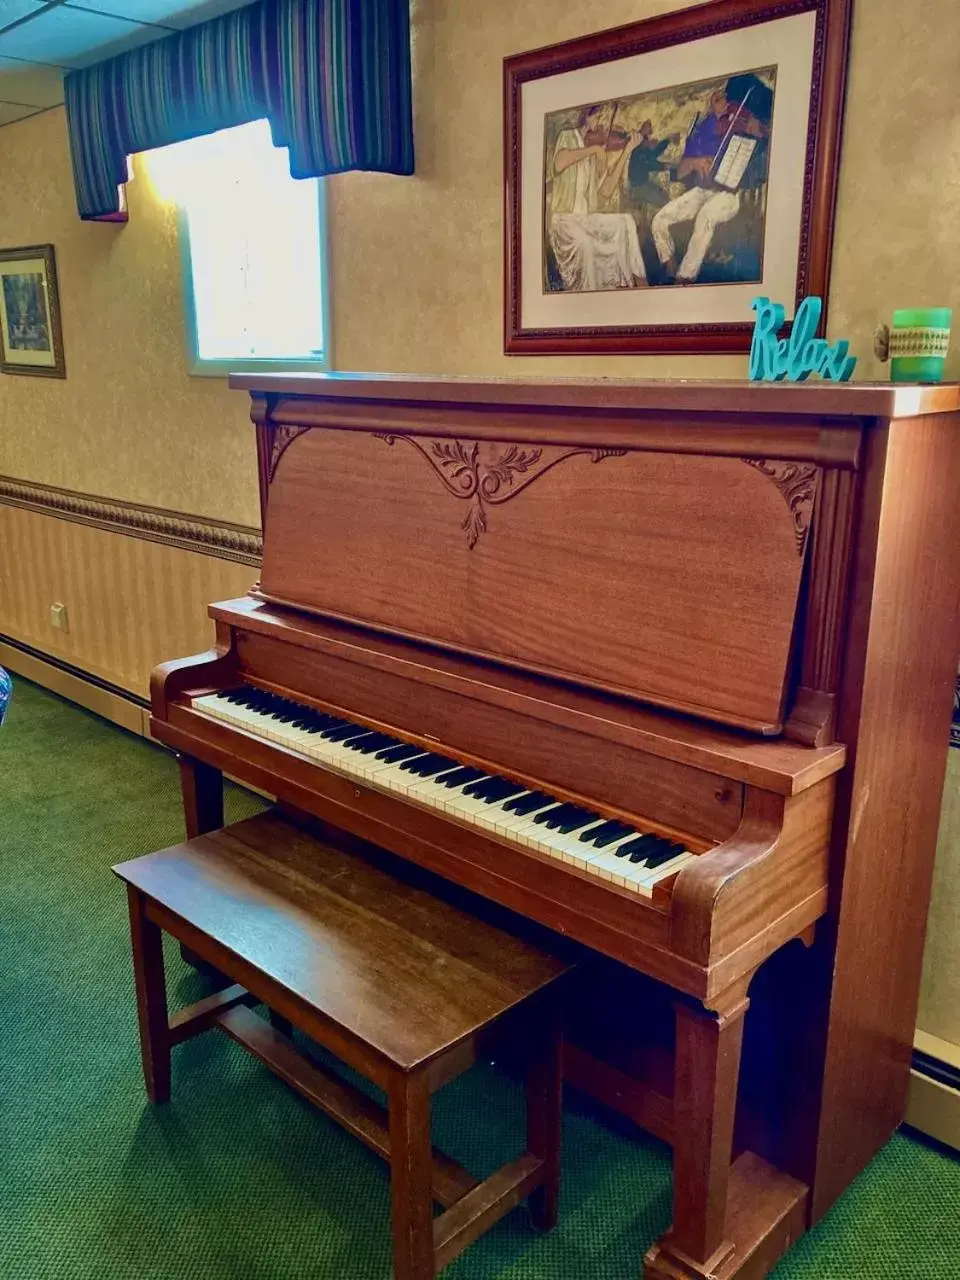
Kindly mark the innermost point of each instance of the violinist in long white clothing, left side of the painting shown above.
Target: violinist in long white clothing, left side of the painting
(595, 248)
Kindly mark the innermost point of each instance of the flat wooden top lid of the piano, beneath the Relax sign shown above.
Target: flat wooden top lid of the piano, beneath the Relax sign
(812, 399)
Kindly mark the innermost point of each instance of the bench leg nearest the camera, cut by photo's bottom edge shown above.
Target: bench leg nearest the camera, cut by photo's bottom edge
(412, 1172)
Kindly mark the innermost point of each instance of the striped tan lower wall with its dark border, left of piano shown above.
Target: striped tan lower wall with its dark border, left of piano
(135, 582)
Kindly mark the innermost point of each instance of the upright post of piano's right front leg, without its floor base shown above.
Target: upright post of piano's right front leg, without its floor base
(705, 1105)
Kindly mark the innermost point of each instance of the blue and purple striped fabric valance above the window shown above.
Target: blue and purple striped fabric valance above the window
(331, 76)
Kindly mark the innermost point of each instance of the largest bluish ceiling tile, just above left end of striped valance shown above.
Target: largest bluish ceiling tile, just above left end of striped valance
(72, 38)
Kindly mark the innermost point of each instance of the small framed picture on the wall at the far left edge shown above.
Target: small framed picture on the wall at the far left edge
(31, 341)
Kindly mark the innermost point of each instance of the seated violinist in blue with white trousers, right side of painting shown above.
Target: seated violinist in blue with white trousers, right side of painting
(726, 156)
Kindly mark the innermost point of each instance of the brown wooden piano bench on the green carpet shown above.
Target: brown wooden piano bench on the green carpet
(387, 977)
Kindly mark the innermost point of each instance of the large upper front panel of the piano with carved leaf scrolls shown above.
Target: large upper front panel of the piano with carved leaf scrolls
(673, 578)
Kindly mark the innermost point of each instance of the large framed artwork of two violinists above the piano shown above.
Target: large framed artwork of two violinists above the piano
(661, 176)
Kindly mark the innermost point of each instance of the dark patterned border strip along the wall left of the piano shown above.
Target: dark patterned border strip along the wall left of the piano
(220, 538)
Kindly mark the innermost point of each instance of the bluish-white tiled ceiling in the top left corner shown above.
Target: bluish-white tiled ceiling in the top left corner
(43, 39)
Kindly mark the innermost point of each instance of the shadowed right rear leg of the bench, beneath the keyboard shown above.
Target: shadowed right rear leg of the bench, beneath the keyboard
(545, 1113)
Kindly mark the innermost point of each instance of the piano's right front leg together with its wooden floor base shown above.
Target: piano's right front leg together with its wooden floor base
(732, 1220)
